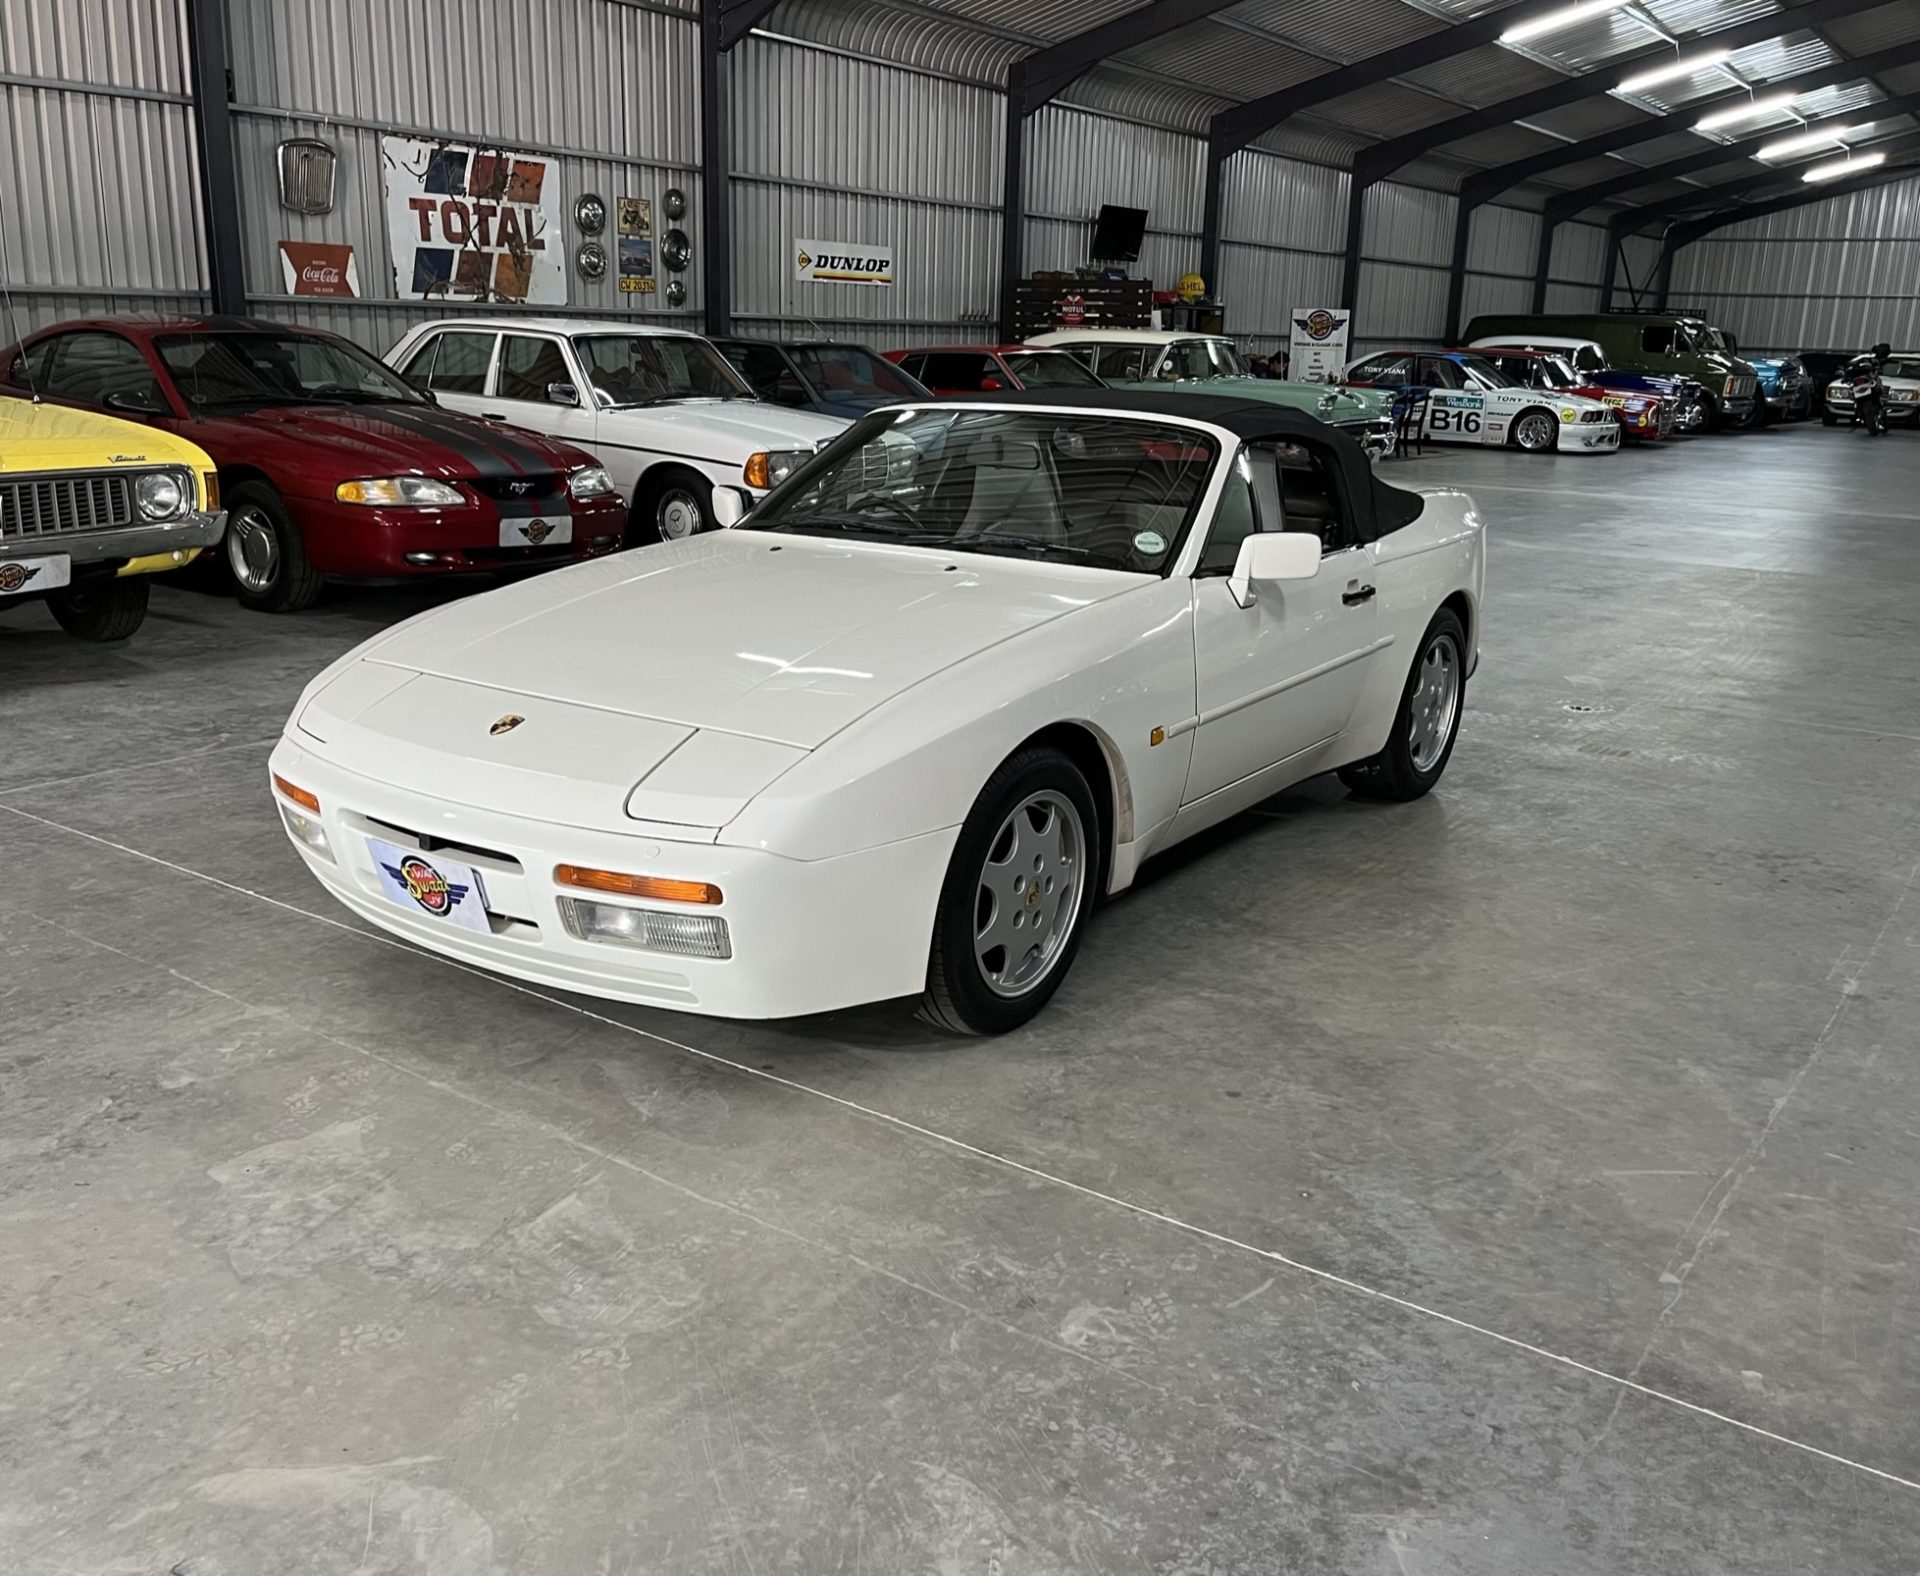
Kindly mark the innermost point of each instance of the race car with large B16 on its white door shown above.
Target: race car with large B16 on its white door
(1474, 402)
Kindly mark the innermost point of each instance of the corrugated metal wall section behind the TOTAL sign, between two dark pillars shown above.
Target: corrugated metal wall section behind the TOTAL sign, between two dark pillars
(608, 89)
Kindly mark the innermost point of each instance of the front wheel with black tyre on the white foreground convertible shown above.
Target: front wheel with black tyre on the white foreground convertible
(1020, 886)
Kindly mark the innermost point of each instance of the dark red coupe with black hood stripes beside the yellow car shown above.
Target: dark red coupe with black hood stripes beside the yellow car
(331, 466)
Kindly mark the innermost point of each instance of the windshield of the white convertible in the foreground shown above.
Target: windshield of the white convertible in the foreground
(1078, 490)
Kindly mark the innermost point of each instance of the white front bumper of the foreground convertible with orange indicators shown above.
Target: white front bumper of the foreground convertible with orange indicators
(807, 936)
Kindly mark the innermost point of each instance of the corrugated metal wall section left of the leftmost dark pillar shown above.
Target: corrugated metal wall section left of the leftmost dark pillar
(97, 145)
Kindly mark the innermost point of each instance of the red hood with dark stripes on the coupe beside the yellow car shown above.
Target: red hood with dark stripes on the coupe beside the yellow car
(383, 441)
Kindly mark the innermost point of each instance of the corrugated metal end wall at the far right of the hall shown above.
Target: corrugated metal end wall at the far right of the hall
(1833, 275)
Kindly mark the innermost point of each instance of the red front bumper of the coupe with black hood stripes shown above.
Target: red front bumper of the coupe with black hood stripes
(383, 544)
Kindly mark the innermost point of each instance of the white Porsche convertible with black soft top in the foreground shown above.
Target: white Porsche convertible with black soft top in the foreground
(898, 730)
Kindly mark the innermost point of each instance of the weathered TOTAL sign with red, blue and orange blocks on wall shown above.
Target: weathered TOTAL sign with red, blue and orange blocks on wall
(473, 224)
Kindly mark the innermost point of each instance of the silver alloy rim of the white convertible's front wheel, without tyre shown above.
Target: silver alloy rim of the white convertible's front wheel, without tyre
(1030, 894)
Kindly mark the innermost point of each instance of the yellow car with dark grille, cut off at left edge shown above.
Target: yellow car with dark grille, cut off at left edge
(89, 506)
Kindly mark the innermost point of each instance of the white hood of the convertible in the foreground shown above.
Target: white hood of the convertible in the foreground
(757, 634)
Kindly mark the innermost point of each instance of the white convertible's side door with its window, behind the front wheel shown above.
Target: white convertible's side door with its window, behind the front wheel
(1282, 677)
